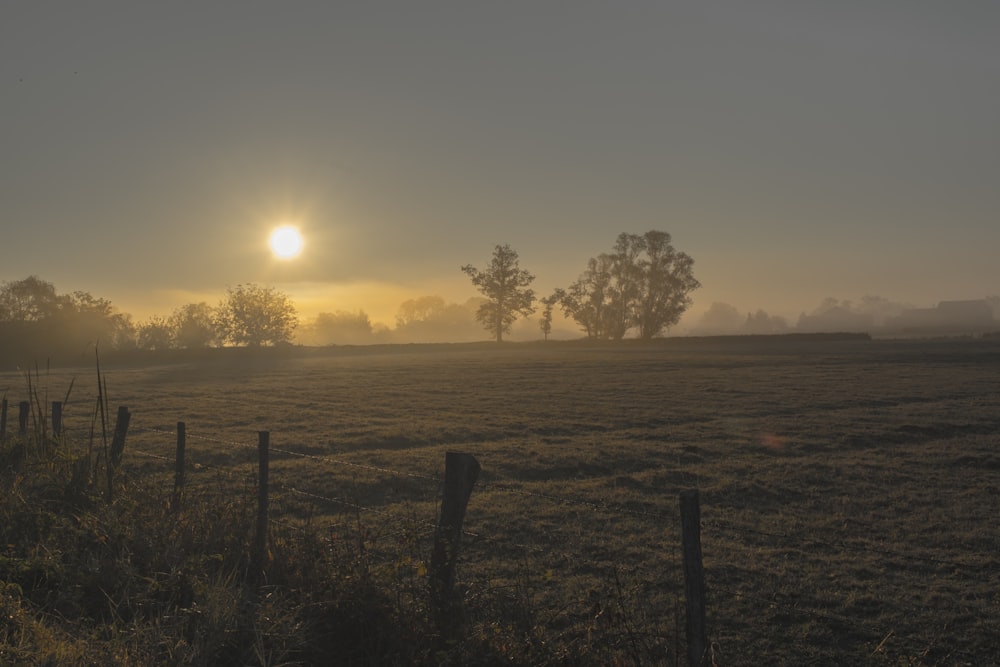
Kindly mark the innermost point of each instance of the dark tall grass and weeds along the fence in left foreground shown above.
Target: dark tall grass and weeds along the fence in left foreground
(89, 577)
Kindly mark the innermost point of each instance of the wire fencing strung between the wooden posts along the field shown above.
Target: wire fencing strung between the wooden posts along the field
(568, 534)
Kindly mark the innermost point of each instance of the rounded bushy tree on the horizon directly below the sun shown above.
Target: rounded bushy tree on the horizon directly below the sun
(253, 315)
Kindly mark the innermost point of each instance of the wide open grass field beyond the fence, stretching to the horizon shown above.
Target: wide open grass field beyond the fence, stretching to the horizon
(850, 489)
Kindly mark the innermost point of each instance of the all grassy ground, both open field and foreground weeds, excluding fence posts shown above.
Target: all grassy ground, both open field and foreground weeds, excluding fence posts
(847, 491)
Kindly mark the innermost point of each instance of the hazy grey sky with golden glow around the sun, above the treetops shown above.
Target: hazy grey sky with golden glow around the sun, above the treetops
(796, 150)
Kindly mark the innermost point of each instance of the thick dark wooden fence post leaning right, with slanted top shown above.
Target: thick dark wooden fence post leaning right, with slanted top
(461, 472)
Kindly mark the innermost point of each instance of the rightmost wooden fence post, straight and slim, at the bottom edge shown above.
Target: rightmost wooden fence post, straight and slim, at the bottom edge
(694, 578)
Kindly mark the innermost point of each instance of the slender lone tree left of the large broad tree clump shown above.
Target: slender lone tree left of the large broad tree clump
(505, 286)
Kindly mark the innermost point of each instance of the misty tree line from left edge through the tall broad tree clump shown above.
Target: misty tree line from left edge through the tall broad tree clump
(642, 286)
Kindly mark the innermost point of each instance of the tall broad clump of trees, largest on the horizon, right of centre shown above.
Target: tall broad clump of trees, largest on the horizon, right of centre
(643, 284)
